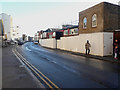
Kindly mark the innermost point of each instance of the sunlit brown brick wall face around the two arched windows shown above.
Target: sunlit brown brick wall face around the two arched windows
(98, 10)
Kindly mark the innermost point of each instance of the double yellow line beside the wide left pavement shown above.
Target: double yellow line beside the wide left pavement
(45, 79)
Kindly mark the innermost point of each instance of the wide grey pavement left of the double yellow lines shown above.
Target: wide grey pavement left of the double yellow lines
(14, 74)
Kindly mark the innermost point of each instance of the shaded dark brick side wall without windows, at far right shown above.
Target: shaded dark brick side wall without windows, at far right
(111, 17)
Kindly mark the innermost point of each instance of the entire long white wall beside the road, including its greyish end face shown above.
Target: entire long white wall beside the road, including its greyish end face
(101, 43)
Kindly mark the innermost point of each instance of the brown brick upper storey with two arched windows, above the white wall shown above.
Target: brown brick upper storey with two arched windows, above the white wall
(105, 17)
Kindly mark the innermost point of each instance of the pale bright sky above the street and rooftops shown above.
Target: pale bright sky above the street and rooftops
(35, 15)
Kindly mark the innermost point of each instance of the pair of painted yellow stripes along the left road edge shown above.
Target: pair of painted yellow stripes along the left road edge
(33, 67)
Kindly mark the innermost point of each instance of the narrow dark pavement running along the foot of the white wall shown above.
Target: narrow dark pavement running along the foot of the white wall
(105, 58)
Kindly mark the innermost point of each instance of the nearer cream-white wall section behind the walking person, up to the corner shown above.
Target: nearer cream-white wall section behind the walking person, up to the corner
(77, 43)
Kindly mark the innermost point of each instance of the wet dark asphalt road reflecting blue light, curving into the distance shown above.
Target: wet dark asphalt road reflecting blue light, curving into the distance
(71, 71)
